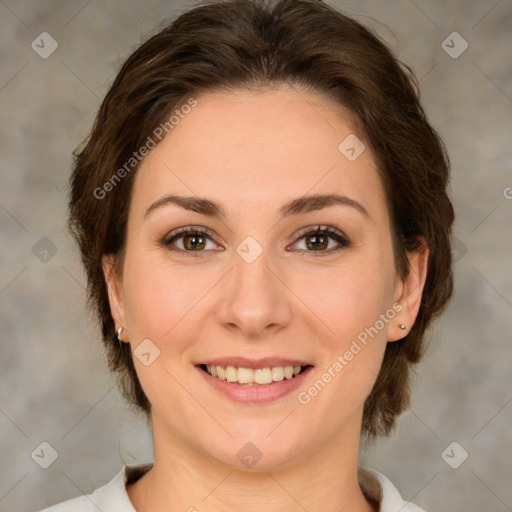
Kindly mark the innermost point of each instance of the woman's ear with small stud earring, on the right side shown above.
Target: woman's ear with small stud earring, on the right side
(408, 293)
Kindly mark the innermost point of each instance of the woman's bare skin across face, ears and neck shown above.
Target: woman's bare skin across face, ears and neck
(253, 151)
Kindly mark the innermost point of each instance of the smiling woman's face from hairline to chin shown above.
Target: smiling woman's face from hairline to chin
(254, 284)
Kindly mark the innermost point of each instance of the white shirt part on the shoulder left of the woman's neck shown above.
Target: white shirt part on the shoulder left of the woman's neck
(112, 497)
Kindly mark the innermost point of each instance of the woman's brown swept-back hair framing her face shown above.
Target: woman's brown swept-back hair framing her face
(250, 44)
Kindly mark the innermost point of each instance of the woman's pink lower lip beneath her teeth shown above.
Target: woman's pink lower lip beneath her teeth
(258, 393)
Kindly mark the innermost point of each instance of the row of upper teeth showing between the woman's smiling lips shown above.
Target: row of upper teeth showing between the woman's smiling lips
(253, 377)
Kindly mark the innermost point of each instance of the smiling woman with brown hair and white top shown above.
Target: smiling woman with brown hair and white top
(262, 213)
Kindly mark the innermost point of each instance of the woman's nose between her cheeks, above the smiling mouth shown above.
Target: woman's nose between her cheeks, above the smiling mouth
(255, 299)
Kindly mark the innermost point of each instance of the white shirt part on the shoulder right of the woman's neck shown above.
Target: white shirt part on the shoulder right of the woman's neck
(380, 489)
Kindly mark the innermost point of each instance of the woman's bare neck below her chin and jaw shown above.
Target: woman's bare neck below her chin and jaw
(184, 478)
